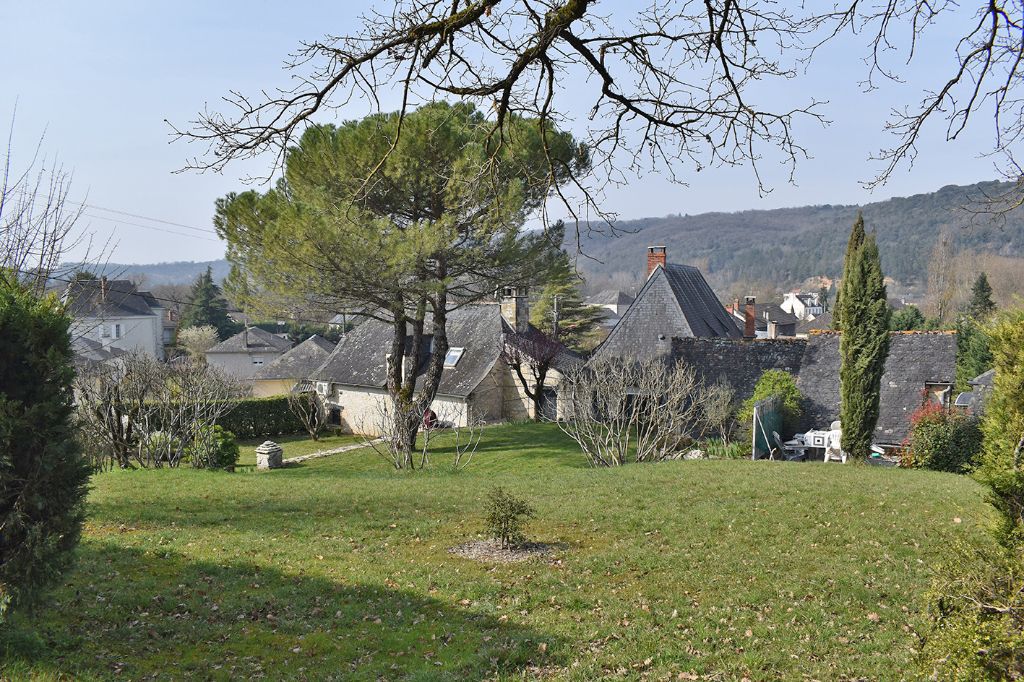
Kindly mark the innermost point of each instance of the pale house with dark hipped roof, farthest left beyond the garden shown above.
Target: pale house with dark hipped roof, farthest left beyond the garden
(114, 314)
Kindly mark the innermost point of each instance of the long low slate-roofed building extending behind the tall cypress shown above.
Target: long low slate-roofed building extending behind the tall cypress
(921, 367)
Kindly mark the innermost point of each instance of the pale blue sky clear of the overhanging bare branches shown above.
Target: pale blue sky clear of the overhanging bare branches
(100, 81)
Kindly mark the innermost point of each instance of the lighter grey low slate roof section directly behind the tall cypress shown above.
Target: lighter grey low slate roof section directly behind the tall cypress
(916, 359)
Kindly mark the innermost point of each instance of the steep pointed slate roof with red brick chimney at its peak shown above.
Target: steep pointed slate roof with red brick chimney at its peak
(676, 303)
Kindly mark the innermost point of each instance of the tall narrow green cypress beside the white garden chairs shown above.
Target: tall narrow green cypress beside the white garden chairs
(865, 344)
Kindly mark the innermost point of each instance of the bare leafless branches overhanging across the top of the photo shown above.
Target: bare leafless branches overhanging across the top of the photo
(673, 82)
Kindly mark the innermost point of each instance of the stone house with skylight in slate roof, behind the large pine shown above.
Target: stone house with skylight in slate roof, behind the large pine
(477, 386)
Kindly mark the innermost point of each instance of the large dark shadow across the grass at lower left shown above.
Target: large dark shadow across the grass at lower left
(137, 614)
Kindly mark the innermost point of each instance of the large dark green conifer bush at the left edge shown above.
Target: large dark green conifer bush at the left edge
(44, 476)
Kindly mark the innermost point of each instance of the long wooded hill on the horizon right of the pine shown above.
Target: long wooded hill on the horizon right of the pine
(787, 246)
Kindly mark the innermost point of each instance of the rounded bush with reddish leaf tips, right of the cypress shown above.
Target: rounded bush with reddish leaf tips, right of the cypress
(943, 441)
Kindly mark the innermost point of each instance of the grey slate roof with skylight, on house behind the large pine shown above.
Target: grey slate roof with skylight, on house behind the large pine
(360, 358)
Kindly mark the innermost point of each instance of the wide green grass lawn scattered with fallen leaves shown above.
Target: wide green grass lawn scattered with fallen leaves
(339, 569)
